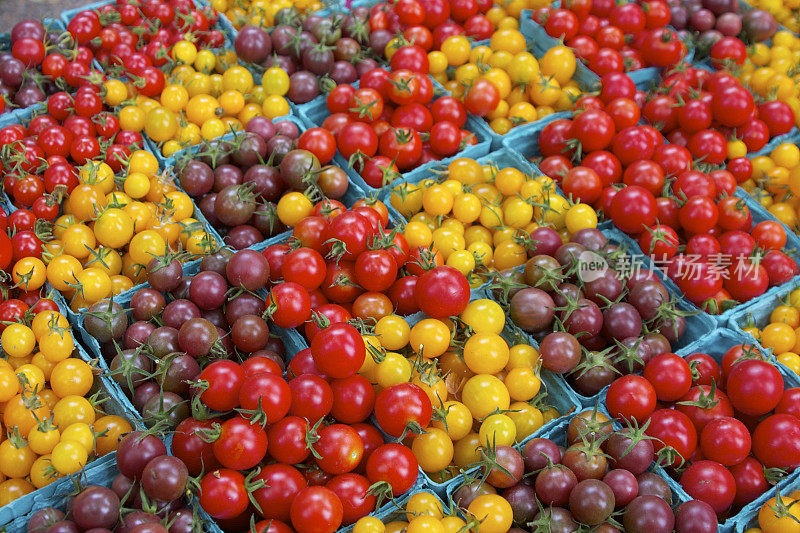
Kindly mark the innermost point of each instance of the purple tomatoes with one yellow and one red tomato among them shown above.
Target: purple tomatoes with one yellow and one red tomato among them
(254, 185)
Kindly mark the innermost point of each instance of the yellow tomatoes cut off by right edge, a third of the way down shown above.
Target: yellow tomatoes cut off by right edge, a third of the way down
(776, 182)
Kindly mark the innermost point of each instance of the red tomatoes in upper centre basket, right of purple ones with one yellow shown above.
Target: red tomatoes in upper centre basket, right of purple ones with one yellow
(380, 126)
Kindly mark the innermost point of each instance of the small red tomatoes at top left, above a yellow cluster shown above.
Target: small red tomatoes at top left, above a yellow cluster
(109, 33)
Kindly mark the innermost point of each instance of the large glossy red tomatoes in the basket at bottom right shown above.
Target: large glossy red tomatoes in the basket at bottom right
(727, 421)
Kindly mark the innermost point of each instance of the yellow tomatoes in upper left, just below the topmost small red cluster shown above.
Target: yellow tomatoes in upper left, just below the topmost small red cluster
(207, 96)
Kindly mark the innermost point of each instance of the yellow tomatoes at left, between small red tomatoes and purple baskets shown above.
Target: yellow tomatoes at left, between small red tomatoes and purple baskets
(108, 233)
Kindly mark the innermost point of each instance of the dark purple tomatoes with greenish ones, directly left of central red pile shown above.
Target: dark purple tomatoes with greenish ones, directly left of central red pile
(178, 324)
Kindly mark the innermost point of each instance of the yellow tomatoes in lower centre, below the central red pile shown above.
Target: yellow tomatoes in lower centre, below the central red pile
(481, 386)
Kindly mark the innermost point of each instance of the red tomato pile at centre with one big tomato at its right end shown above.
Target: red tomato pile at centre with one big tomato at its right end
(351, 265)
